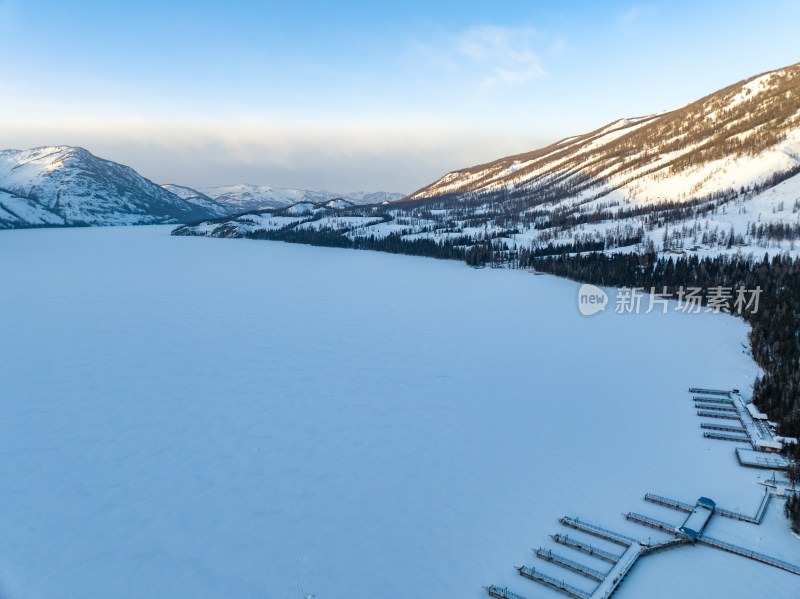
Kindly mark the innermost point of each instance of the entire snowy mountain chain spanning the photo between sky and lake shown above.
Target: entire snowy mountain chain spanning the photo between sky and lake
(721, 171)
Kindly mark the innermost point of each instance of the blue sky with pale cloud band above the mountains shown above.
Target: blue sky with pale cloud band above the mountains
(355, 95)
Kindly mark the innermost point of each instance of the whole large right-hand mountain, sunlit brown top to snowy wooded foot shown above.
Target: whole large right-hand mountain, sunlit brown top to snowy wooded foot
(721, 174)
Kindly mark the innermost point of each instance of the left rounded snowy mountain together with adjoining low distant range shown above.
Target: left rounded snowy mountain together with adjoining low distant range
(69, 186)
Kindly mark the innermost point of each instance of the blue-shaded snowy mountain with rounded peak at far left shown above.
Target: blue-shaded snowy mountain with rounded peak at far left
(66, 185)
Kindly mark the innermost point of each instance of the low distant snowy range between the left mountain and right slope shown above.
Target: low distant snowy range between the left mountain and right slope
(244, 197)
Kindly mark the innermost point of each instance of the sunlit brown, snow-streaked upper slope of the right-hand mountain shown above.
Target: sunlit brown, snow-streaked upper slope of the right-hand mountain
(736, 137)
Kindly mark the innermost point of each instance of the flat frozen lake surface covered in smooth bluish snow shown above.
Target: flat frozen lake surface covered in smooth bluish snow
(194, 417)
